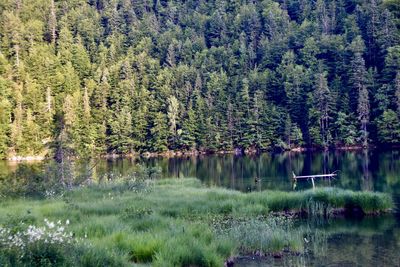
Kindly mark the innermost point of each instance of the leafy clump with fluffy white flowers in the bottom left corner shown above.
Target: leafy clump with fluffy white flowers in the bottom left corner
(49, 245)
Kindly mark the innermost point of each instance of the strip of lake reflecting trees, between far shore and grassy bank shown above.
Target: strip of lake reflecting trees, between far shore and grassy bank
(361, 170)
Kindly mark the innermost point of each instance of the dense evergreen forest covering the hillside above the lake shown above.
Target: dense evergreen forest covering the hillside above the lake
(89, 77)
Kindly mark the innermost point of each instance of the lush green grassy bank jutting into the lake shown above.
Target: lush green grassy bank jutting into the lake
(174, 222)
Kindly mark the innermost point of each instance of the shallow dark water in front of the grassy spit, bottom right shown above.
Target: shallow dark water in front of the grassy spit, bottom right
(373, 241)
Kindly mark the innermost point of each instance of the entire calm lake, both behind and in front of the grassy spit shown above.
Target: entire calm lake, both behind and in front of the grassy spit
(373, 241)
